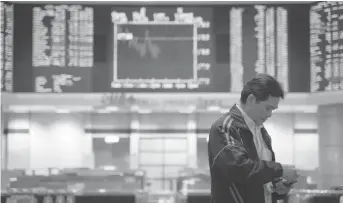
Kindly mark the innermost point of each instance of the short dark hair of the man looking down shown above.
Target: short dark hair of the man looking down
(262, 86)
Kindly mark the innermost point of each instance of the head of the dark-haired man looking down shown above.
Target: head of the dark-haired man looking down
(260, 96)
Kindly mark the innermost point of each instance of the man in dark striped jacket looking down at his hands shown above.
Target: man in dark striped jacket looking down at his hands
(241, 158)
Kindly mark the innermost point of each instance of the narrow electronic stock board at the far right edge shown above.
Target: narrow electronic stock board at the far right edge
(326, 37)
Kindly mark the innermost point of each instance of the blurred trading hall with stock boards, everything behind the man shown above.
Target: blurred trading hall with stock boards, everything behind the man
(115, 99)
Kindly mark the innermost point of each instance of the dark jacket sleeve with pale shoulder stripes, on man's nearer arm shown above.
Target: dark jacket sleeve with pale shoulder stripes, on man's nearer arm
(230, 158)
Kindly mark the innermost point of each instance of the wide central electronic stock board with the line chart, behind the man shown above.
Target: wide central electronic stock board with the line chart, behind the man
(116, 48)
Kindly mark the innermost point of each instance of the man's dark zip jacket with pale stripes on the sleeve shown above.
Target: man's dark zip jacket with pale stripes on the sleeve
(237, 175)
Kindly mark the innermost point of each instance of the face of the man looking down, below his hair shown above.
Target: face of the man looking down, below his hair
(261, 111)
